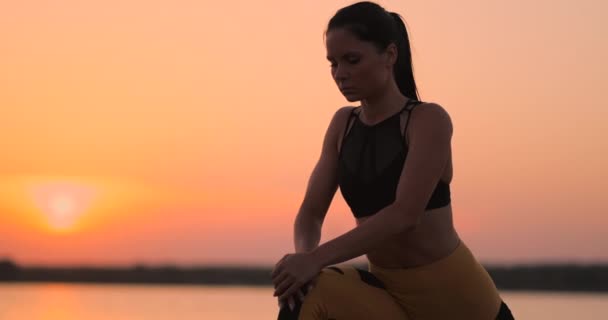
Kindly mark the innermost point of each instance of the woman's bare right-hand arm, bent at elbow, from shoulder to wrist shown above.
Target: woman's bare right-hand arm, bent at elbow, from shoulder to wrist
(428, 154)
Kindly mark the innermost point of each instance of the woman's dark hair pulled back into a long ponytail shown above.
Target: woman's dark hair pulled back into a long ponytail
(370, 22)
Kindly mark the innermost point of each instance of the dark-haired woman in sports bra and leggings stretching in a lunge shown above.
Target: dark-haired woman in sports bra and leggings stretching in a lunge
(391, 158)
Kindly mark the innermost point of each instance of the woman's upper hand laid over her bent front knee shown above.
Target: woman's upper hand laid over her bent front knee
(292, 272)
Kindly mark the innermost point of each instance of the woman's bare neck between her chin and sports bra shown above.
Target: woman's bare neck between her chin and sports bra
(379, 107)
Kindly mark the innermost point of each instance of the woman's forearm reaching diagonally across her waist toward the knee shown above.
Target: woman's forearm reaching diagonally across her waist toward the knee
(362, 239)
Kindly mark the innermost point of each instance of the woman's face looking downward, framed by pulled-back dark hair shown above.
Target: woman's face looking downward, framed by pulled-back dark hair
(358, 68)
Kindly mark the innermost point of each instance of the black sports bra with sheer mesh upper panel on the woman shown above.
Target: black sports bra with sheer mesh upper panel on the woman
(370, 163)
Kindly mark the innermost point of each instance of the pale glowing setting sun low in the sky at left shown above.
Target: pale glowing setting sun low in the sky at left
(62, 203)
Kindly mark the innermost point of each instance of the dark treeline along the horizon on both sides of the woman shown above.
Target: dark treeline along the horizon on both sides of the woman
(541, 277)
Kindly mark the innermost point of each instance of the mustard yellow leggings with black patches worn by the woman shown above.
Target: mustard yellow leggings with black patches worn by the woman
(455, 287)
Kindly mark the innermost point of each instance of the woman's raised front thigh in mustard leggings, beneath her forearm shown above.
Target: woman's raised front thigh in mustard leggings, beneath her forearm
(346, 293)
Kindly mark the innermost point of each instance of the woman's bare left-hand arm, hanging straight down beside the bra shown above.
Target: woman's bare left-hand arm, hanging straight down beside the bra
(321, 188)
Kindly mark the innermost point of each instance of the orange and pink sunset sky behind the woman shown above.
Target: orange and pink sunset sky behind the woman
(185, 131)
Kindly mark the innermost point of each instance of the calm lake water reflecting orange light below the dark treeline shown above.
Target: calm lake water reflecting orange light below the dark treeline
(57, 301)
